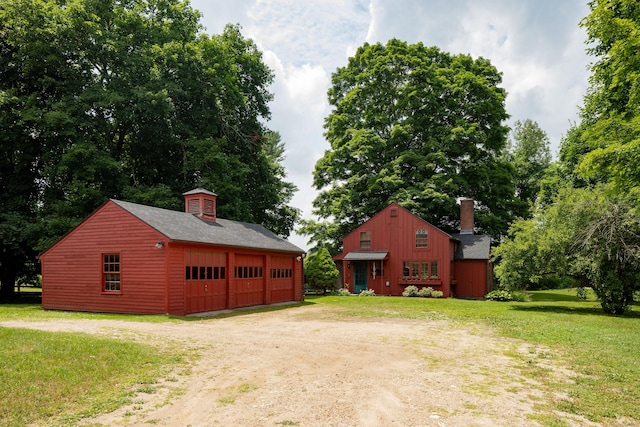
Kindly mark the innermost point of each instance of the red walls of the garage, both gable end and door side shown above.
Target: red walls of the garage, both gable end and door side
(154, 280)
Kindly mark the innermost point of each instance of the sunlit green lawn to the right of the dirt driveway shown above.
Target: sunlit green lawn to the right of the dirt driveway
(603, 350)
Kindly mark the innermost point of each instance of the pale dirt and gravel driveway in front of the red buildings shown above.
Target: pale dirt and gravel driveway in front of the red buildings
(307, 366)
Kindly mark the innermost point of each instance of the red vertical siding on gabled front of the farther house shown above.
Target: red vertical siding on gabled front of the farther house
(394, 230)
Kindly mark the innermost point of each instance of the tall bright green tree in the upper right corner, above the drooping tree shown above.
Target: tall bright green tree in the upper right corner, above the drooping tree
(611, 111)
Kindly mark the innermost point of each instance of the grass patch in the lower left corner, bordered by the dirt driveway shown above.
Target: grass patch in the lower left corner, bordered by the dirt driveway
(64, 377)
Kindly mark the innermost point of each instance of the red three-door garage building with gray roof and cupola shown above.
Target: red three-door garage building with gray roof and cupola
(132, 258)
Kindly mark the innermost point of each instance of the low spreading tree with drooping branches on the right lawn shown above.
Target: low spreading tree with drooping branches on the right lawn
(590, 234)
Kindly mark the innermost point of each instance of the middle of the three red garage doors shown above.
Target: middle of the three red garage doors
(249, 280)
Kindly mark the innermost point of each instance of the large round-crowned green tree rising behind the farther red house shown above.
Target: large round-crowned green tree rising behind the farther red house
(416, 126)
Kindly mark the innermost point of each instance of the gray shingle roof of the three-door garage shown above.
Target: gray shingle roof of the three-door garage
(185, 227)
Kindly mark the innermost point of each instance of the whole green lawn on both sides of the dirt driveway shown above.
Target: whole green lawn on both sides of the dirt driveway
(69, 376)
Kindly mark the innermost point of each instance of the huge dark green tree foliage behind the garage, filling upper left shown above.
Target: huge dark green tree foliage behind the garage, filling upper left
(127, 99)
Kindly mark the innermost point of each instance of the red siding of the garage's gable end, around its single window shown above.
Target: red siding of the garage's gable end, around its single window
(72, 268)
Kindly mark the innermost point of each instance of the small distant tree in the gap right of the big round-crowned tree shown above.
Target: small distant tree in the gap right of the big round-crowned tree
(528, 152)
